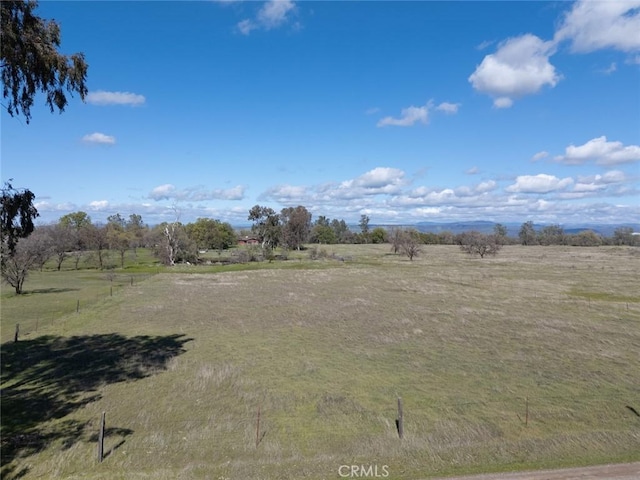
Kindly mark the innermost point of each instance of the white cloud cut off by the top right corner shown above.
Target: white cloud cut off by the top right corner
(595, 25)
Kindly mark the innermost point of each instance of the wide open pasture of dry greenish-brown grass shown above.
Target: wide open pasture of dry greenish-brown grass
(525, 360)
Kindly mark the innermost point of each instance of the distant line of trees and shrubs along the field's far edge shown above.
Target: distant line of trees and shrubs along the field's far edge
(76, 238)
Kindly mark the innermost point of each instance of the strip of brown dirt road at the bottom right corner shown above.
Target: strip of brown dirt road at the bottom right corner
(625, 471)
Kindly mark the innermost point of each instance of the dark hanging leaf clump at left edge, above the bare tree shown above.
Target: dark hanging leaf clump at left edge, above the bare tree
(17, 215)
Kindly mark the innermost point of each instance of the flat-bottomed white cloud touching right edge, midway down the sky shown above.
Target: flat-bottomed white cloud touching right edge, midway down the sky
(601, 151)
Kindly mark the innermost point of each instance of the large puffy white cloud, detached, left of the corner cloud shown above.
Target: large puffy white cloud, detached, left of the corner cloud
(519, 67)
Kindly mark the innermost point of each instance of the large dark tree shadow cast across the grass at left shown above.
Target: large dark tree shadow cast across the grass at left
(49, 377)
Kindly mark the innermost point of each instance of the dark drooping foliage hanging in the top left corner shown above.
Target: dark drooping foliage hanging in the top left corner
(31, 62)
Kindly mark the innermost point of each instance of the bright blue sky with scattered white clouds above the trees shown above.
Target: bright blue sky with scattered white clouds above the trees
(403, 111)
